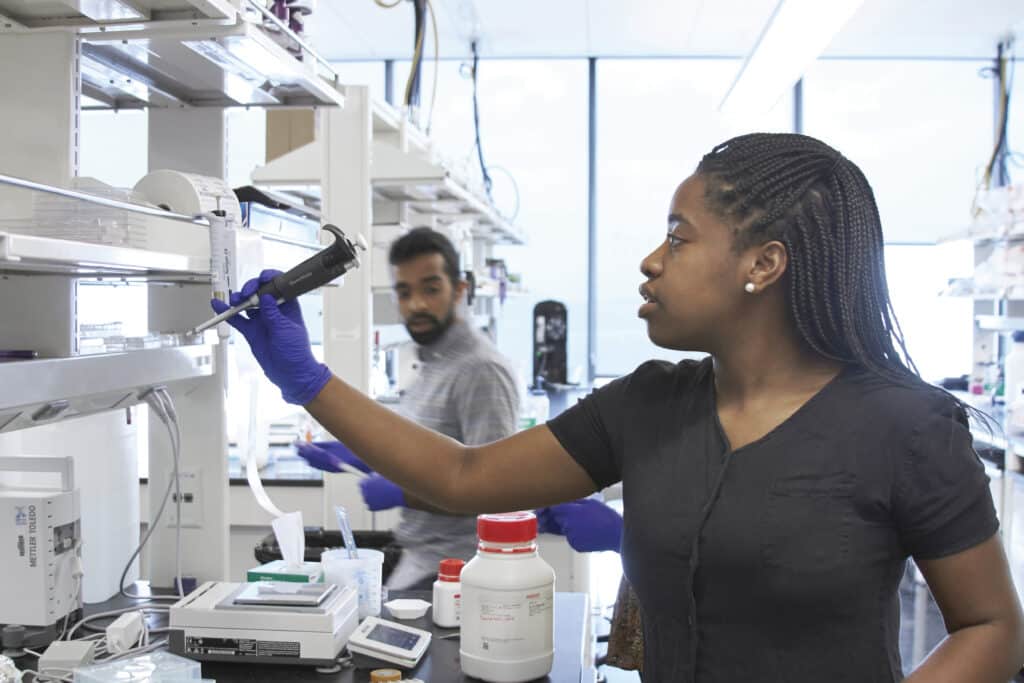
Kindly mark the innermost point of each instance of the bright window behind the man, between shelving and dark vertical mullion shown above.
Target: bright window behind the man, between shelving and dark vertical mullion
(534, 136)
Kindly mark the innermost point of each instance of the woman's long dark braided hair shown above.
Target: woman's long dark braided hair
(799, 191)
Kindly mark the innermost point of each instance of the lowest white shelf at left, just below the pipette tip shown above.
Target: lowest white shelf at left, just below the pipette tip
(93, 383)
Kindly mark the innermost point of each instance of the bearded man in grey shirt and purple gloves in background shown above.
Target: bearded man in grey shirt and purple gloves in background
(465, 391)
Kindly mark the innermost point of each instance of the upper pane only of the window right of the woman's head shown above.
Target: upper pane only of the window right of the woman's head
(922, 133)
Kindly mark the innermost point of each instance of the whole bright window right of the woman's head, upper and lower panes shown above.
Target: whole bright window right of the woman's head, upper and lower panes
(922, 133)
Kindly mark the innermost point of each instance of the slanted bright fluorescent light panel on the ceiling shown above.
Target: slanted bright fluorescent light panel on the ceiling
(797, 33)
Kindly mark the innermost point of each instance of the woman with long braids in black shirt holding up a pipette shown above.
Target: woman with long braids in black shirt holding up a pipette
(773, 492)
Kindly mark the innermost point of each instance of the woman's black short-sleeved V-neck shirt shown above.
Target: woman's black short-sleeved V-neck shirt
(780, 562)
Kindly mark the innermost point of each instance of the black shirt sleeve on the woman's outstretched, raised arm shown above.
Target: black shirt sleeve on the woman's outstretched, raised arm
(591, 432)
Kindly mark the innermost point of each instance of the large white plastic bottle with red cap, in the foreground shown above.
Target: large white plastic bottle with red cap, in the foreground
(508, 601)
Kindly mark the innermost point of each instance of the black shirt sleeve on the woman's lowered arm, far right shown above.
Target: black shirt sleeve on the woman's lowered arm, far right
(943, 503)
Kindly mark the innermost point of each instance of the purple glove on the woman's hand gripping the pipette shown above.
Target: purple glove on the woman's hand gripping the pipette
(280, 343)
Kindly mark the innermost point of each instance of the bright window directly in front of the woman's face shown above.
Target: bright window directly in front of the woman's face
(656, 120)
